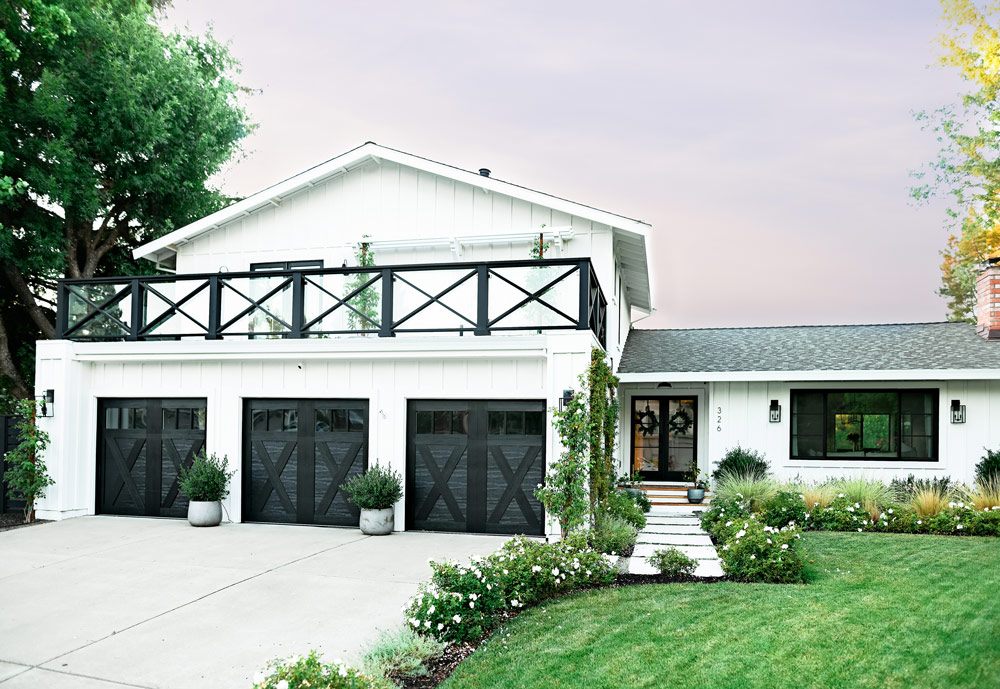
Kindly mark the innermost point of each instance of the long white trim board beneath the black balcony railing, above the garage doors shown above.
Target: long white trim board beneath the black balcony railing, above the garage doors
(470, 347)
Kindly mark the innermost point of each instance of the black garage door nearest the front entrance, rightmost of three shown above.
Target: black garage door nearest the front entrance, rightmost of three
(474, 466)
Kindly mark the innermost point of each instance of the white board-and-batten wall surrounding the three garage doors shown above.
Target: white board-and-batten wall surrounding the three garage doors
(533, 368)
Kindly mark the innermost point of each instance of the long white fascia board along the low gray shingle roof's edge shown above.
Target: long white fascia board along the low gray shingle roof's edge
(806, 376)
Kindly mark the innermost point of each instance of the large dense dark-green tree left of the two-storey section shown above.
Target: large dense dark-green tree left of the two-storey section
(110, 130)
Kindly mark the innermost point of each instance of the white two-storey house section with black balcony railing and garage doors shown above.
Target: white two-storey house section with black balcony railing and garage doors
(268, 345)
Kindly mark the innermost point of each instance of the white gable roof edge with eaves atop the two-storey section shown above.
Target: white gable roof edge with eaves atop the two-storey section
(630, 235)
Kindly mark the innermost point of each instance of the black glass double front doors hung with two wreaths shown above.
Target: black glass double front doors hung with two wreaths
(664, 437)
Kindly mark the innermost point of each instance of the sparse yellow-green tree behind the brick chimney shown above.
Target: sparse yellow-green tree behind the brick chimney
(968, 167)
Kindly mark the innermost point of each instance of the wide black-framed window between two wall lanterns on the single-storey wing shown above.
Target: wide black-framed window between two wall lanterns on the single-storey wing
(890, 425)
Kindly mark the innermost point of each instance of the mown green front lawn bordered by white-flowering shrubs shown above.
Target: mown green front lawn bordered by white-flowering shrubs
(879, 610)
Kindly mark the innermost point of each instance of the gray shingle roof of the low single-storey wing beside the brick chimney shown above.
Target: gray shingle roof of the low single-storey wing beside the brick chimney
(810, 348)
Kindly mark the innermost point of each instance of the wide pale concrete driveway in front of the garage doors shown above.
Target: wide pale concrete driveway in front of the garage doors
(104, 602)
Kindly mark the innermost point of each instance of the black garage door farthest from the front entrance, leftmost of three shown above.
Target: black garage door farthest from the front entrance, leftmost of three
(141, 445)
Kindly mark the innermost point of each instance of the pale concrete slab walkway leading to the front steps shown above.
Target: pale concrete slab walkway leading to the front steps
(681, 530)
